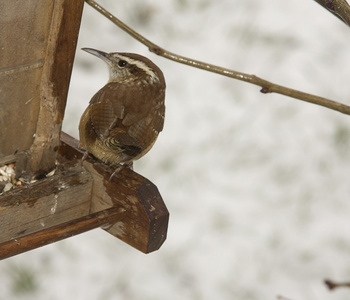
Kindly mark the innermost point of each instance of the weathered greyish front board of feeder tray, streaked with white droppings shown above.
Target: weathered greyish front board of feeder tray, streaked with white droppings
(48, 202)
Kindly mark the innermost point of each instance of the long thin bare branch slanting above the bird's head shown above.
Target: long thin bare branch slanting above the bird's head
(267, 87)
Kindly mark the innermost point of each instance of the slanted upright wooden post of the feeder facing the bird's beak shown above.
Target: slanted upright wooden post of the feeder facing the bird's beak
(54, 85)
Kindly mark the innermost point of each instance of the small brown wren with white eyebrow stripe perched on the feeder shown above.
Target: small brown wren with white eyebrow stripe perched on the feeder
(124, 118)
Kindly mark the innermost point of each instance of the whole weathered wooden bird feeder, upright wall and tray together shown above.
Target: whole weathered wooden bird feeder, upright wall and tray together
(37, 46)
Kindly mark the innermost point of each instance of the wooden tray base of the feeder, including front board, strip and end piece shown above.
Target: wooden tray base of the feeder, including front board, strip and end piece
(80, 197)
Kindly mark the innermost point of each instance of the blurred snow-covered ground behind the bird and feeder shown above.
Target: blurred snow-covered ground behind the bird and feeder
(257, 185)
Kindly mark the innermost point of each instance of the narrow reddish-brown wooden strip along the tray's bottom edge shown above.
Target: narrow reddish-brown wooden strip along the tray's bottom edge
(60, 232)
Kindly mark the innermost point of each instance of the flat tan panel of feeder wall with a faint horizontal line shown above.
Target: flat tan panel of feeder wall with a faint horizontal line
(24, 28)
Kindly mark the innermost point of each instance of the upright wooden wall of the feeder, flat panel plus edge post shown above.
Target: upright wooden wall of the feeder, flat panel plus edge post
(38, 41)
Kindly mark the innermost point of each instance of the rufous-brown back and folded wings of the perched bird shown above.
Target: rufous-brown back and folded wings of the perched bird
(123, 119)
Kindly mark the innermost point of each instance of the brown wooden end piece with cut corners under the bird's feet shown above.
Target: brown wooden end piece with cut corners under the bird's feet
(146, 222)
